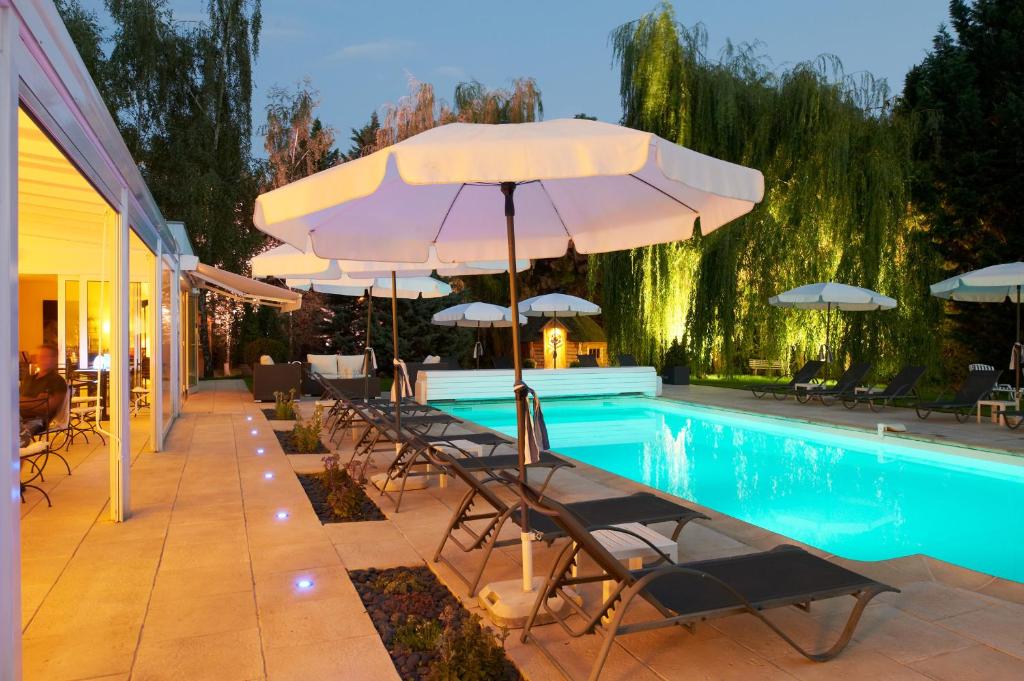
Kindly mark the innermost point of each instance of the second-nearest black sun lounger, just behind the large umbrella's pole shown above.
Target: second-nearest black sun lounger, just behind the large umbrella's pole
(482, 528)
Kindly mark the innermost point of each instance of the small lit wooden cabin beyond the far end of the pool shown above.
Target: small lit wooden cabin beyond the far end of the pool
(557, 344)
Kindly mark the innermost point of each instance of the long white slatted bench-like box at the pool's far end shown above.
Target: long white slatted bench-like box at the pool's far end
(497, 384)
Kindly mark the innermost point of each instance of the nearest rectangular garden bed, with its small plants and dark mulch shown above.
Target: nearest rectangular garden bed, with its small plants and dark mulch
(430, 635)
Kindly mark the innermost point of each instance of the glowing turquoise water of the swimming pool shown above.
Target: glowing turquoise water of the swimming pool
(849, 496)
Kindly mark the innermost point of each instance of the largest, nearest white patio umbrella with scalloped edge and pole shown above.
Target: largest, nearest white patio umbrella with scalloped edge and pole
(602, 187)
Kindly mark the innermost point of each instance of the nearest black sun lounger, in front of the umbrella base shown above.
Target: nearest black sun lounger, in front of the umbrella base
(686, 594)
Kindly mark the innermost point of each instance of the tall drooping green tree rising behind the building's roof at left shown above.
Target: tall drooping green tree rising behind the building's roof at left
(182, 96)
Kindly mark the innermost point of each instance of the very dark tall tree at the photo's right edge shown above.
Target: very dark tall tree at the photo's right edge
(966, 101)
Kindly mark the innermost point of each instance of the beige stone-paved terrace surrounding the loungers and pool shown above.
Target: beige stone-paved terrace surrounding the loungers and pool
(200, 583)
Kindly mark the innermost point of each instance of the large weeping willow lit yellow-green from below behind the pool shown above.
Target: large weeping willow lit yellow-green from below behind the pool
(836, 208)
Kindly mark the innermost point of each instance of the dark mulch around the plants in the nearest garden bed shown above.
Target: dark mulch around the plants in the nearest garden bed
(428, 601)
